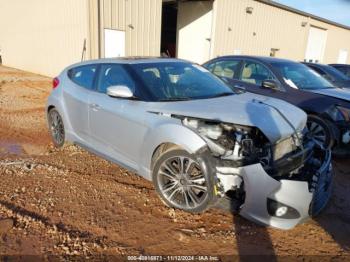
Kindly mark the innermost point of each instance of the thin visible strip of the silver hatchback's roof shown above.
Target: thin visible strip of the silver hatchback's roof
(129, 60)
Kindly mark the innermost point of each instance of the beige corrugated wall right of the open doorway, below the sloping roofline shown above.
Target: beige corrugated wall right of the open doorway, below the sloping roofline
(269, 27)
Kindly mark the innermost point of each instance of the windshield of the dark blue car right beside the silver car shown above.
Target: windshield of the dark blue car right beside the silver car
(300, 76)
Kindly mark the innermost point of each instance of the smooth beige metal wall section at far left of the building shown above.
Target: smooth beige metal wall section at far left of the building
(42, 36)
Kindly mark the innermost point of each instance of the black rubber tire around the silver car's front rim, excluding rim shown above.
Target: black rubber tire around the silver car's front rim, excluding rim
(205, 169)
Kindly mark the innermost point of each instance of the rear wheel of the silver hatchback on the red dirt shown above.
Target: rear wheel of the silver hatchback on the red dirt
(56, 128)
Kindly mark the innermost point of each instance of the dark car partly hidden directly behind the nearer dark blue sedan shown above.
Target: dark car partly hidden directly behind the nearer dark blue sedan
(332, 74)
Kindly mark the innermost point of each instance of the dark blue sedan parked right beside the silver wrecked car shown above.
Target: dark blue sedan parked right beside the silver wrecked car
(328, 107)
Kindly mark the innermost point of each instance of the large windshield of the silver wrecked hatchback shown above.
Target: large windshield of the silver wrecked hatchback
(173, 81)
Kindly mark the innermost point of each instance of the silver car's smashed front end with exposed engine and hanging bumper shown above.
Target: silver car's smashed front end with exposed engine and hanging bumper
(278, 184)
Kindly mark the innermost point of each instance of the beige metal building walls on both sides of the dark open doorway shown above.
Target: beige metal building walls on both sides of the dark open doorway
(46, 36)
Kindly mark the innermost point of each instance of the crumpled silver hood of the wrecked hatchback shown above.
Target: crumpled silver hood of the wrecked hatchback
(244, 109)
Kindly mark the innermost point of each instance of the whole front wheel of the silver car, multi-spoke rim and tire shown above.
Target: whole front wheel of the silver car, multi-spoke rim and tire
(182, 181)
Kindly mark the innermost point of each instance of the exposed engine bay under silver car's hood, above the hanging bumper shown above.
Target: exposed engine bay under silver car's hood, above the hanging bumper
(237, 146)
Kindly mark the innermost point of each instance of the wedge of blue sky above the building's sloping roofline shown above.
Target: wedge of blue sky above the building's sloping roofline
(334, 10)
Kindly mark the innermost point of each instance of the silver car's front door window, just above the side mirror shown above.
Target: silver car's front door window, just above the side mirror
(113, 75)
